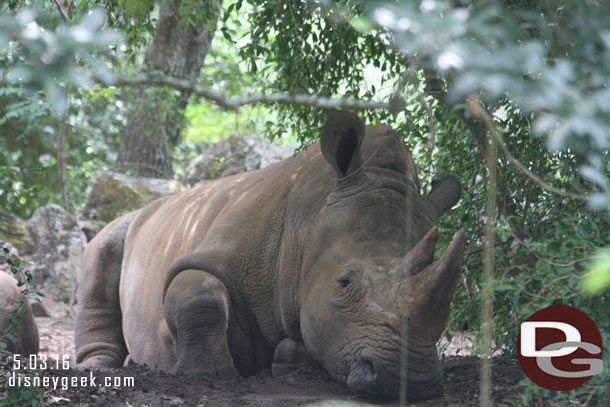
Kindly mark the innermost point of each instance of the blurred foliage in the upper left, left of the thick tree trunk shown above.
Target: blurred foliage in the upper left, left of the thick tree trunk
(42, 57)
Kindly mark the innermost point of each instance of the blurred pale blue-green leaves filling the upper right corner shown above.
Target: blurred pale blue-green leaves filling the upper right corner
(551, 62)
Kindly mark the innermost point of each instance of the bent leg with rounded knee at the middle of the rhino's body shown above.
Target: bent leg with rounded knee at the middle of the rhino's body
(197, 307)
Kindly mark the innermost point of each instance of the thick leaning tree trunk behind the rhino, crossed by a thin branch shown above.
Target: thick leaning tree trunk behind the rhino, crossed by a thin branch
(156, 116)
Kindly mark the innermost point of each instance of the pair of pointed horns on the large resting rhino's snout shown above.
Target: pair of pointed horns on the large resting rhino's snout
(429, 291)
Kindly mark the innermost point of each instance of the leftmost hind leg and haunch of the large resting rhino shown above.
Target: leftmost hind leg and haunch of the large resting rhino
(98, 328)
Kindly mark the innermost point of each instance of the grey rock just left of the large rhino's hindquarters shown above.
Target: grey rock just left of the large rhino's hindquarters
(55, 250)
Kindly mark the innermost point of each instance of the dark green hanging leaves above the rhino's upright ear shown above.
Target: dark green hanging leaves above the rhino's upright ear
(301, 48)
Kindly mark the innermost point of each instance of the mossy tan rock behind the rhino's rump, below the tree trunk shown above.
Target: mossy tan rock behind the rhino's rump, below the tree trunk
(110, 195)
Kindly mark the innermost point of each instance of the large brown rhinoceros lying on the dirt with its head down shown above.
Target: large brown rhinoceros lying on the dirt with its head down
(316, 257)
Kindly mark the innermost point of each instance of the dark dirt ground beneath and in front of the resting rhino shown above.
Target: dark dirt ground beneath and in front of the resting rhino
(304, 387)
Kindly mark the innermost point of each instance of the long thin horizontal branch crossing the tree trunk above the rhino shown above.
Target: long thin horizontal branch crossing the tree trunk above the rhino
(233, 103)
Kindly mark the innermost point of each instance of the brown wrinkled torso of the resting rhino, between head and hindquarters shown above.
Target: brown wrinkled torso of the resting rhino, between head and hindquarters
(234, 228)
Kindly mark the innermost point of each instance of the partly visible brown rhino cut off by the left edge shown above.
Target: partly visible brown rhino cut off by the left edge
(27, 331)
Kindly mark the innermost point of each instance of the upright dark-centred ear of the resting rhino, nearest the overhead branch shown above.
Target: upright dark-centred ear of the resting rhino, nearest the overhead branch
(341, 139)
